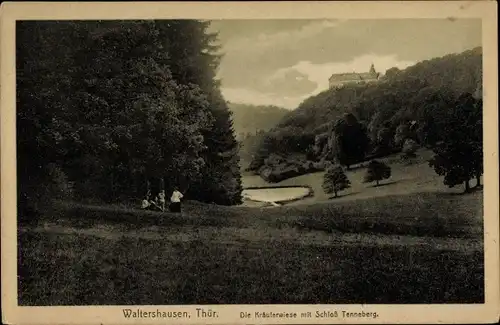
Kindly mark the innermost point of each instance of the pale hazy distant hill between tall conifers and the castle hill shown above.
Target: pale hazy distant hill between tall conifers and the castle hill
(253, 118)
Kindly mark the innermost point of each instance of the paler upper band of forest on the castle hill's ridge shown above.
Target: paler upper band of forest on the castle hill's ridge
(458, 73)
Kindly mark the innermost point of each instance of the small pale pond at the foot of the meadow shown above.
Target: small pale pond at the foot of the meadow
(276, 194)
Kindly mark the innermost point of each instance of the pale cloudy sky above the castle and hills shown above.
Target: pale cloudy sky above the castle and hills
(282, 62)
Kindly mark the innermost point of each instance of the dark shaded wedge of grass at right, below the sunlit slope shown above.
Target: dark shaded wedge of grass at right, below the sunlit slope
(419, 214)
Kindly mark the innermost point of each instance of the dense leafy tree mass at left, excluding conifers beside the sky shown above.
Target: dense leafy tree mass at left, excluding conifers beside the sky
(107, 110)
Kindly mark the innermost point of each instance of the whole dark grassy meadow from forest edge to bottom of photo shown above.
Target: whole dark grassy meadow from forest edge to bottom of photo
(405, 248)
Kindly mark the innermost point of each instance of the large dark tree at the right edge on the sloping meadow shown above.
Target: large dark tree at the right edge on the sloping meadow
(459, 157)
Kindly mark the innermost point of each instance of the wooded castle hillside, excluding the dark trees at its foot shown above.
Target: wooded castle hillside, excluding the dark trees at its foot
(419, 94)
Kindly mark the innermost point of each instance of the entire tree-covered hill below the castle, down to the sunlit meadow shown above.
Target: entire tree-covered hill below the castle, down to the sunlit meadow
(361, 122)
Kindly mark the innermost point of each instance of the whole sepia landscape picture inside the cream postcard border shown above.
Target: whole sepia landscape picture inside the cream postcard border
(204, 161)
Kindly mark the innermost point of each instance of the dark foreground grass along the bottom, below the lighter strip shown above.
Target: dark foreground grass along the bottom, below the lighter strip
(80, 270)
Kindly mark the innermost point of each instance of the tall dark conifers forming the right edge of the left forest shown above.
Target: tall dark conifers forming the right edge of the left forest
(194, 59)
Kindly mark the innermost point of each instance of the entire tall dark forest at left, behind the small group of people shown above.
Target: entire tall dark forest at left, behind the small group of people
(108, 109)
